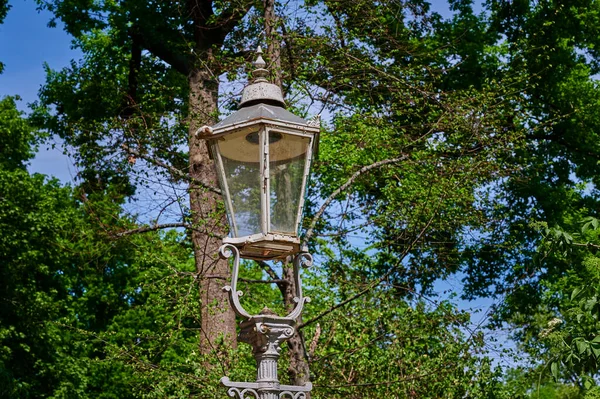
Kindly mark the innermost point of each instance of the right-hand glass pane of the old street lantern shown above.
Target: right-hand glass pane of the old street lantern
(287, 161)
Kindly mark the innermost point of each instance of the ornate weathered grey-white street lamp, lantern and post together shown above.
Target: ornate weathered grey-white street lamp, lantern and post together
(263, 154)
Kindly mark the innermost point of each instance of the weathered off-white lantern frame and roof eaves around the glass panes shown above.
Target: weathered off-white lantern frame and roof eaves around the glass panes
(264, 117)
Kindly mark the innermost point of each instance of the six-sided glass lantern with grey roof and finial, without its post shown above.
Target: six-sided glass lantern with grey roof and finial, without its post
(263, 154)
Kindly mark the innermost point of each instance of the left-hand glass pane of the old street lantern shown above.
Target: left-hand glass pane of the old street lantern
(240, 154)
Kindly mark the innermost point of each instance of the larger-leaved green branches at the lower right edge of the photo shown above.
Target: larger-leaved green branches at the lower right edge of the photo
(569, 341)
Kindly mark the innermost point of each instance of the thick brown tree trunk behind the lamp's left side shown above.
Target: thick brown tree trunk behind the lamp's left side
(208, 219)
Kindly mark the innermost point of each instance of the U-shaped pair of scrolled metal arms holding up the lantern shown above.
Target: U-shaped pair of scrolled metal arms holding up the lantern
(302, 259)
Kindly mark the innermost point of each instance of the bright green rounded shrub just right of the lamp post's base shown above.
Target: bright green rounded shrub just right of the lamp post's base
(384, 346)
